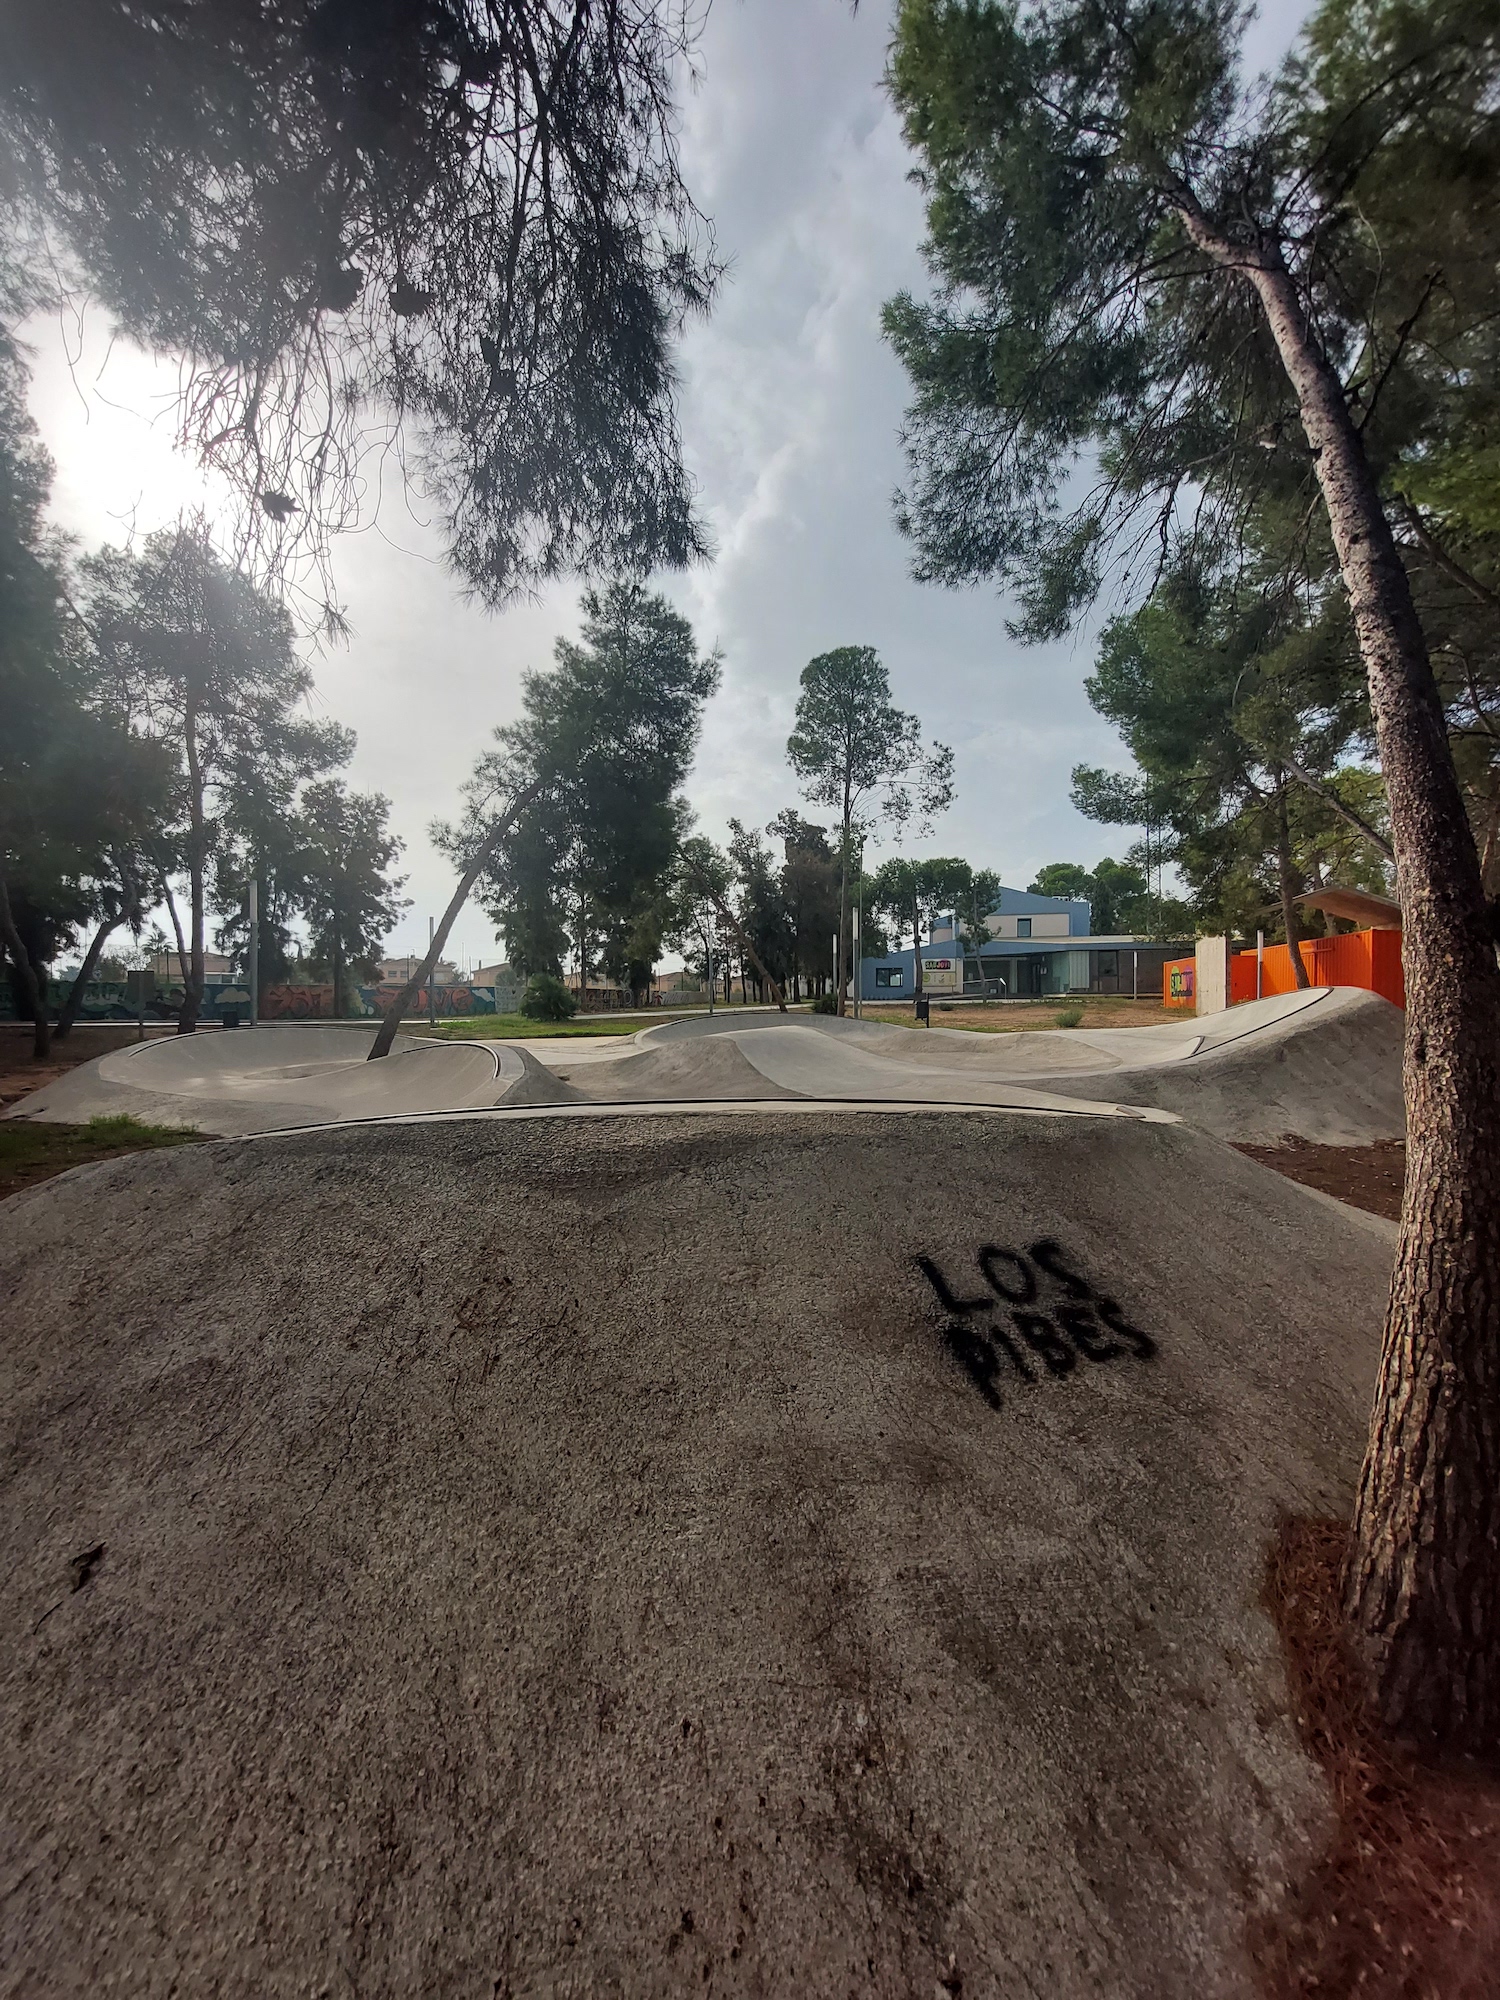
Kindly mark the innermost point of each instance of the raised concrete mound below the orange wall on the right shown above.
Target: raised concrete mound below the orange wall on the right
(1331, 1075)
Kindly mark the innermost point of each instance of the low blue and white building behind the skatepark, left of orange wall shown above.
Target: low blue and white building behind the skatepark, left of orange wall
(1033, 947)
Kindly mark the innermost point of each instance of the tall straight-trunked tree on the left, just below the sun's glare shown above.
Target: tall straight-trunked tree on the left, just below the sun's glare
(209, 665)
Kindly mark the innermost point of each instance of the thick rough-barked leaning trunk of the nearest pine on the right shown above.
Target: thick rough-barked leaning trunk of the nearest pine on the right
(1425, 1569)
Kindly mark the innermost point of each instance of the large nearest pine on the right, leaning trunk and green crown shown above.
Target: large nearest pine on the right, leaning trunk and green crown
(1157, 269)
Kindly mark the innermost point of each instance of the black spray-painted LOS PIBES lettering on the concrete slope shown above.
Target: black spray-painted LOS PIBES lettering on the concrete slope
(1037, 1319)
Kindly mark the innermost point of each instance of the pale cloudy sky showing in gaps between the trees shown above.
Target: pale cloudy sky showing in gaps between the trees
(791, 415)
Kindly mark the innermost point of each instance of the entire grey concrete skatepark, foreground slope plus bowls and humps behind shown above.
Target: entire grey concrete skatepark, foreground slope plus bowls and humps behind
(753, 1507)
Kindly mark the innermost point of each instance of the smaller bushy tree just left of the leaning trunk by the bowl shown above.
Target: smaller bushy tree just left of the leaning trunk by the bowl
(349, 897)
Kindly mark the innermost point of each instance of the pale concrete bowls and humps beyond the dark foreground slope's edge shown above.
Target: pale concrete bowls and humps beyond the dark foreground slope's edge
(1319, 1065)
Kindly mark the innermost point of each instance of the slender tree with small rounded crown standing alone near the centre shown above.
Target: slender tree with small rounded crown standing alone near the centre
(861, 755)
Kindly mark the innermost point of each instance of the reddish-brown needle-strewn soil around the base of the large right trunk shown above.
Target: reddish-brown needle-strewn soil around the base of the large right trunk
(1405, 1903)
